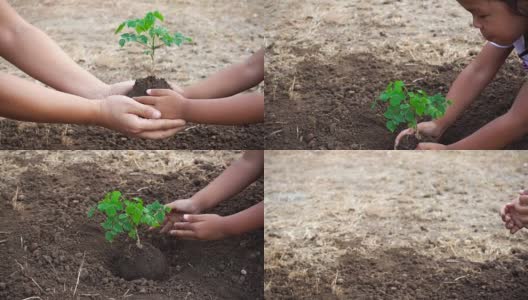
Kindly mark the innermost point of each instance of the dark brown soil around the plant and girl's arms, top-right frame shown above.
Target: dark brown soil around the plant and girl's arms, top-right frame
(331, 103)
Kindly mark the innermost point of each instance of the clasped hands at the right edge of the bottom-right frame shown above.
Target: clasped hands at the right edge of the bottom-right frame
(515, 214)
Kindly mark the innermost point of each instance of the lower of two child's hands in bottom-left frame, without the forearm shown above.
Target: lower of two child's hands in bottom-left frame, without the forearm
(200, 227)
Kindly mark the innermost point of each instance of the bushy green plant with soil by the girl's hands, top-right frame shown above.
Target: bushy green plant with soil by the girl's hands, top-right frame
(407, 107)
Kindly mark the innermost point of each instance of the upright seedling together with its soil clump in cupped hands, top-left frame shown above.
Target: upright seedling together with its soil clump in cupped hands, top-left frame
(150, 36)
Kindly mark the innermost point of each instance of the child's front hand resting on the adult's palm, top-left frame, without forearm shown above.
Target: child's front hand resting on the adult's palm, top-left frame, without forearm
(170, 103)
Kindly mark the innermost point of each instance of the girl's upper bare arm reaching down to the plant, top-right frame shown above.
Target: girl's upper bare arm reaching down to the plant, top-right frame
(465, 89)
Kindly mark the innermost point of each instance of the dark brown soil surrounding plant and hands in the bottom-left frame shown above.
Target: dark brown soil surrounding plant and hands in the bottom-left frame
(45, 240)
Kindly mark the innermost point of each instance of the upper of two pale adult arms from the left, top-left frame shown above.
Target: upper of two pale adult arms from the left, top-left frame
(31, 50)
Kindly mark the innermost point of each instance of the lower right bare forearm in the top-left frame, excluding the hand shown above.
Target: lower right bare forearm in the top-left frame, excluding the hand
(236, 110)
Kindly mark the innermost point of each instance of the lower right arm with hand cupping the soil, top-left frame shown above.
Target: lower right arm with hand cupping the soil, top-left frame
(246, 108)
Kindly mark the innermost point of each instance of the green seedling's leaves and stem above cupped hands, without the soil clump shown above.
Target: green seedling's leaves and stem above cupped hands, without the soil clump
(149, 35)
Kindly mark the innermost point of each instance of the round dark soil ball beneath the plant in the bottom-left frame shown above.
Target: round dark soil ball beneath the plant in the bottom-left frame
(134, 263)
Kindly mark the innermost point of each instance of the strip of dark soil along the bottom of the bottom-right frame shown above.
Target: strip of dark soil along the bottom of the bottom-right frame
(401, 273)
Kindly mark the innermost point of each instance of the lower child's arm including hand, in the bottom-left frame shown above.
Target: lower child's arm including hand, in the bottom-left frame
(215, 227)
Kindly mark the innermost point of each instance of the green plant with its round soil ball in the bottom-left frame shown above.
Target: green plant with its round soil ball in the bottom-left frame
(126, 216)
